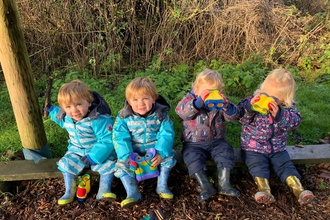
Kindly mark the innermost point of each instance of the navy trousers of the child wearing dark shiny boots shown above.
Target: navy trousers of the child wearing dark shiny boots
(195, 155)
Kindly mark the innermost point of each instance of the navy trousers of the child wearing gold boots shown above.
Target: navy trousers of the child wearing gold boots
(259, 164)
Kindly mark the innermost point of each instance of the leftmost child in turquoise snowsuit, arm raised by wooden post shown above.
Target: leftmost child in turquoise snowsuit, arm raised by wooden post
(86, 117)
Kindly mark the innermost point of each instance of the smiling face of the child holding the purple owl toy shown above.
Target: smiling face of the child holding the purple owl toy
(141, 103)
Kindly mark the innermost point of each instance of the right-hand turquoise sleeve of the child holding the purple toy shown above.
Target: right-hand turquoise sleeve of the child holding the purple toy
(165, 138)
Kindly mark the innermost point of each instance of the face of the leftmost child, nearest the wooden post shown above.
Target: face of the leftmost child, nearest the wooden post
(77, 110)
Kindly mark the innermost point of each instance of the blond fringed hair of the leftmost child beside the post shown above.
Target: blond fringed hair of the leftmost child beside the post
(72, 92)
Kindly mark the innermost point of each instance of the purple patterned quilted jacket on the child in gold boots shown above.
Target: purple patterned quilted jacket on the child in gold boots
(264, 134)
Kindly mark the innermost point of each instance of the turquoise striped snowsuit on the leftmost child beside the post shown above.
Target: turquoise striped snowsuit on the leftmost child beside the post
(90, 136)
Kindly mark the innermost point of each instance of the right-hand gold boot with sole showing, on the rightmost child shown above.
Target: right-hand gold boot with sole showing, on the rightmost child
(303, 196)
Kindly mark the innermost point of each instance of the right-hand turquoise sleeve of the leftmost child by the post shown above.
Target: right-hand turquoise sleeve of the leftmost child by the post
(102, 149)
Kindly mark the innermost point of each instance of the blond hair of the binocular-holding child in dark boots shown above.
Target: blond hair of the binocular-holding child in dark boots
(209, 76)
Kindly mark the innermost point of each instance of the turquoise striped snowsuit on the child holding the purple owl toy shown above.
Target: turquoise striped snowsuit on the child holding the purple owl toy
(133, 133)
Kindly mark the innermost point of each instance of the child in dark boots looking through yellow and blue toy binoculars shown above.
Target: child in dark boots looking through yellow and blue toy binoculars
(204, 132)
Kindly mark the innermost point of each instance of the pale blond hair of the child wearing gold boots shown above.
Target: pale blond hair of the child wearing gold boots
(285, 85)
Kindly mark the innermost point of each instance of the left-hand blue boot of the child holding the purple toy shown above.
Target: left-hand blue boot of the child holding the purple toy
(132, 190)
